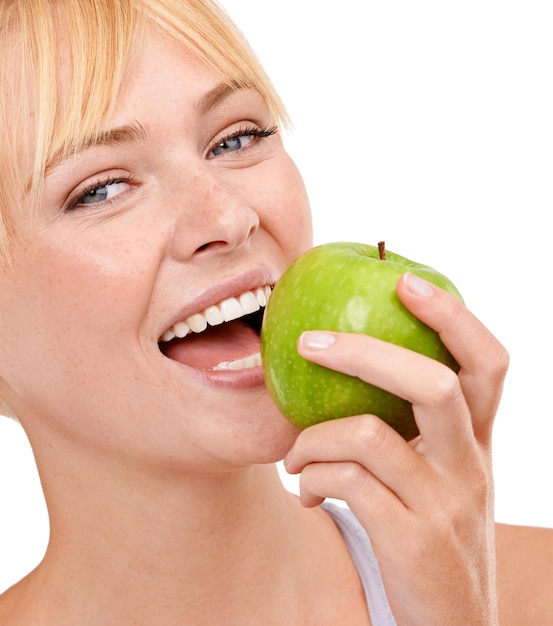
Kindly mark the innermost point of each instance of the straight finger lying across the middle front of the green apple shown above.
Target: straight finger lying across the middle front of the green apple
(433, 389)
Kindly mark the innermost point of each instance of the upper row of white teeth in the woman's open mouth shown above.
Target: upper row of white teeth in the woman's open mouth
(226, 311)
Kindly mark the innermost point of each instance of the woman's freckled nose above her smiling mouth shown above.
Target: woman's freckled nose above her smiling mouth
(215, 219)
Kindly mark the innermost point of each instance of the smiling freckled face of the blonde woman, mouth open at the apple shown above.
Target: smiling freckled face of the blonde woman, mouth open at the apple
(183, 214)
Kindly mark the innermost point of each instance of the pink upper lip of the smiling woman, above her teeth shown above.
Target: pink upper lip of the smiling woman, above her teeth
(233, 287)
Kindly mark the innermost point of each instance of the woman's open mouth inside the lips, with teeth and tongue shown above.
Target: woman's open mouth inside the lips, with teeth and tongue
(224, 336)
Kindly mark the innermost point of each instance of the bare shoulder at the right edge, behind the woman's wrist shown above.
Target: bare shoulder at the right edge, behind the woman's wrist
(524, 575)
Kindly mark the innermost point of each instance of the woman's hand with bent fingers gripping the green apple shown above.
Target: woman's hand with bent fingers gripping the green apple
(427, 505)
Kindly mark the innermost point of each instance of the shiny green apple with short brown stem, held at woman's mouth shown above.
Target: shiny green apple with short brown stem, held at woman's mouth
(346, 287)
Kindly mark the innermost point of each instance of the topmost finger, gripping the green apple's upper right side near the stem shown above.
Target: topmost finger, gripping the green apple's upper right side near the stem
(482, 358)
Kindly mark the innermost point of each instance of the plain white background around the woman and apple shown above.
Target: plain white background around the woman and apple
(428, 124)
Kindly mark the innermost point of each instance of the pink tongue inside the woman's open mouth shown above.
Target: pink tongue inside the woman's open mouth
(217, 344)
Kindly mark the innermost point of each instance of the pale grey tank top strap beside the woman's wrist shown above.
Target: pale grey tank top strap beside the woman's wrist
(359, 546)
